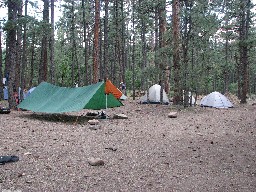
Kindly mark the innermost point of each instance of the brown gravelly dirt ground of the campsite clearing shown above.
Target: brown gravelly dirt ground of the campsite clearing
(203, 149)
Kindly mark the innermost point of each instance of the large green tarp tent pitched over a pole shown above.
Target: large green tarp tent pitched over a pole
(48, 98)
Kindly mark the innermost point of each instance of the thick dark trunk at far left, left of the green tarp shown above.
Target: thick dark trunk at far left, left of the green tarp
(11, 57)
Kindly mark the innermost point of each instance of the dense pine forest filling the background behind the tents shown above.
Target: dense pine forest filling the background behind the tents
(192, 45)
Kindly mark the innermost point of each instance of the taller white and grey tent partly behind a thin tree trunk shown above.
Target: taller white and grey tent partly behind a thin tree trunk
(153, 95)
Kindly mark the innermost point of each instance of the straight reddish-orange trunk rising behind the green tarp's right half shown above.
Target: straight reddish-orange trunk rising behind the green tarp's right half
(96, 42)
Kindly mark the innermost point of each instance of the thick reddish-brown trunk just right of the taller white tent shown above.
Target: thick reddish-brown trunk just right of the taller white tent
(176, 50)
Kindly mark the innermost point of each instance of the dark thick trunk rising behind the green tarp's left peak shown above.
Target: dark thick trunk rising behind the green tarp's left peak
(43, 68)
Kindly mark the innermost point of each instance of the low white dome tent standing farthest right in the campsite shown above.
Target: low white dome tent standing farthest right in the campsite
(216, 100)
